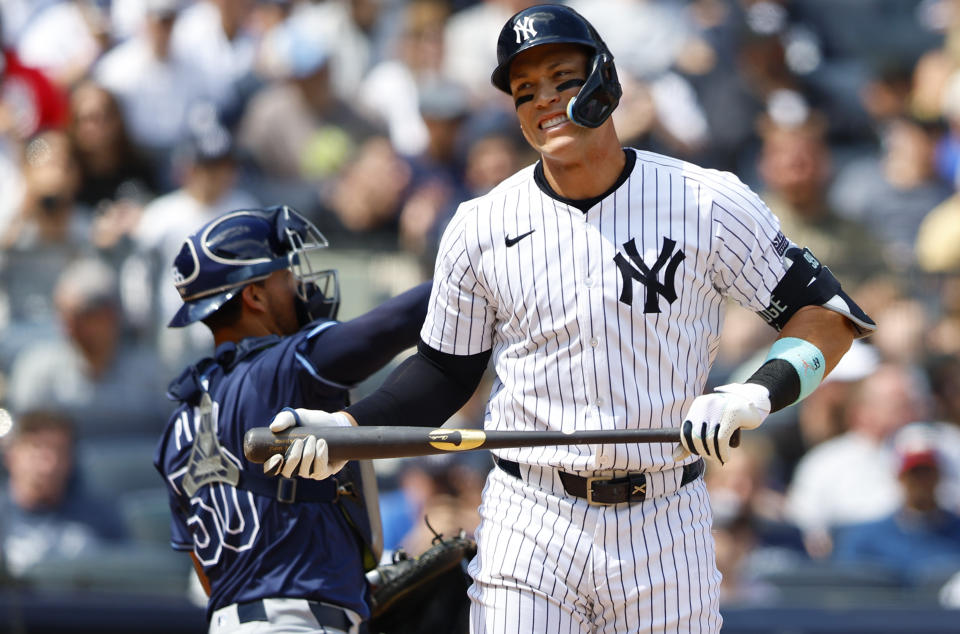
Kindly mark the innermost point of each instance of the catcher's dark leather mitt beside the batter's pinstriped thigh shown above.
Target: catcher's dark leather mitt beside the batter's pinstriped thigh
(426, 594)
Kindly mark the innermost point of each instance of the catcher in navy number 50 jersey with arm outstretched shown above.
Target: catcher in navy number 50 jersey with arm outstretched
(274, 555)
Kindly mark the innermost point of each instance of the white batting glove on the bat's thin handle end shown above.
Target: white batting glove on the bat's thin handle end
(713, 418)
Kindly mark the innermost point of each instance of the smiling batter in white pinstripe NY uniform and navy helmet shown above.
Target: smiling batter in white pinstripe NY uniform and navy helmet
(596, 280)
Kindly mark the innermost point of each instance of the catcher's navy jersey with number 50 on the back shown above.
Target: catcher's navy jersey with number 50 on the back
(251, 545)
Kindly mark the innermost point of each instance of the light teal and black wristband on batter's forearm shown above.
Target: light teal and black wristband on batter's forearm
(792, 371)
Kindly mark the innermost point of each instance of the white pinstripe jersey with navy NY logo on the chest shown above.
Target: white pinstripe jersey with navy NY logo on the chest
(576, 340)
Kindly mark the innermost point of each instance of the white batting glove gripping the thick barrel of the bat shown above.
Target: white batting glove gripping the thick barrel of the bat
(309, 457)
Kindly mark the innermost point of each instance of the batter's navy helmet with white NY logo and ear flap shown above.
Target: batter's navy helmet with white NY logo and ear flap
(557, 24)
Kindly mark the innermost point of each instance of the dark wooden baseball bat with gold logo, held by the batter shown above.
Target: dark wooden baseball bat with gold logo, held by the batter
(364, 443)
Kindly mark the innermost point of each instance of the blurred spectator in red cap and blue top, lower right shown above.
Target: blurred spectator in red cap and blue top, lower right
(918, 542)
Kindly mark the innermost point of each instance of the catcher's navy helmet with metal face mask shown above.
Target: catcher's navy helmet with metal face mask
(244, 246)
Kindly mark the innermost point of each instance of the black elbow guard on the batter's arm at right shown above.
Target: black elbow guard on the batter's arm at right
(809, 283)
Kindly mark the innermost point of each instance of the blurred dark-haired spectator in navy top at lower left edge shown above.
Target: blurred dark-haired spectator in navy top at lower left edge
(45, 514)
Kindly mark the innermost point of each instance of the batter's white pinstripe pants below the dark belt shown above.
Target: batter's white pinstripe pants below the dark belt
(552, 563)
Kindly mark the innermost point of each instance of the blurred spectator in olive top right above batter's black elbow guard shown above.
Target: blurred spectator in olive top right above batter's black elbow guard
(795, 166)
